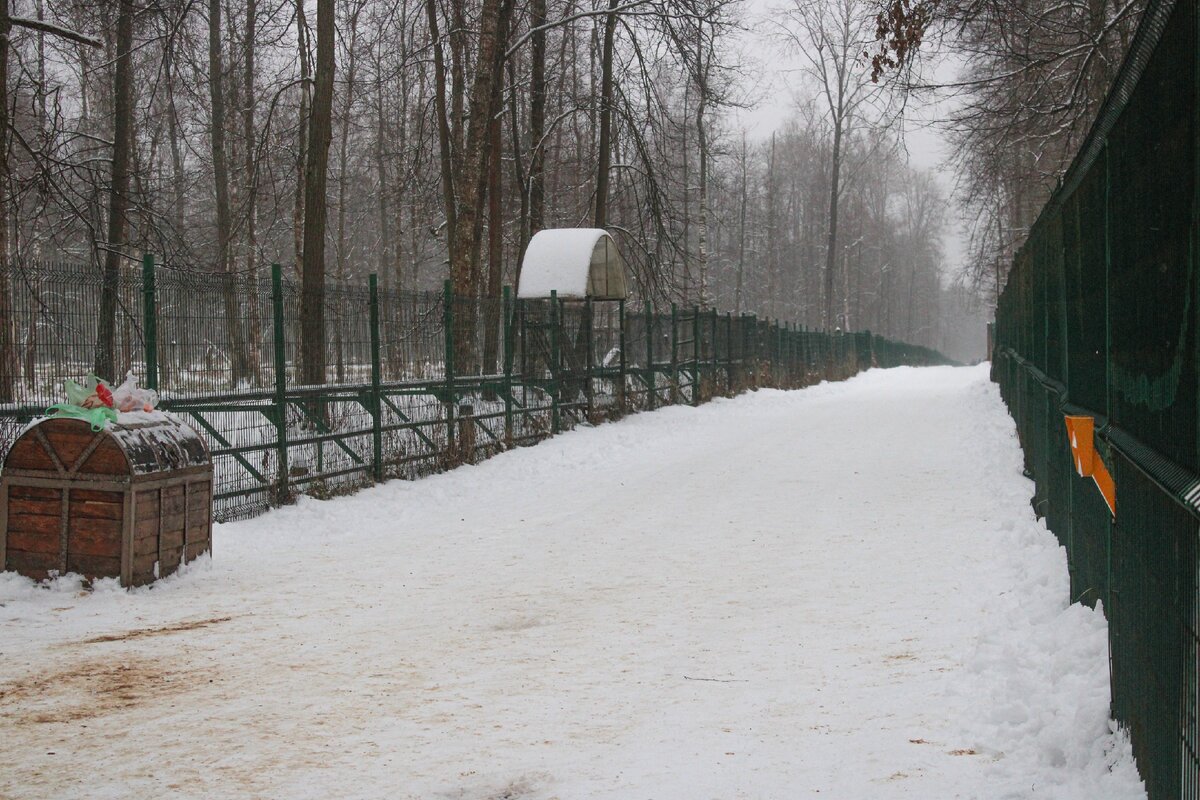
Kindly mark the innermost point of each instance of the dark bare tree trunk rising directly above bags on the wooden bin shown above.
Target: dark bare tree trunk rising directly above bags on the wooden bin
(118, 194)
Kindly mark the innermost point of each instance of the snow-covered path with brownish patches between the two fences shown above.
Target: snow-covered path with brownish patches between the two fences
(836, 593)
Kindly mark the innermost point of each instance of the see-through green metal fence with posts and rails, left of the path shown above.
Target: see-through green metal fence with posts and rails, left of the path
(416, 382)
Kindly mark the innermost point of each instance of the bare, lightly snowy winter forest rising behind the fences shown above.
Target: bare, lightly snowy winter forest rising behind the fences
(429, 140)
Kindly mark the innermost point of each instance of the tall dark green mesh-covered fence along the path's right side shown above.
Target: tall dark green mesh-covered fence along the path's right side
(1099, 320)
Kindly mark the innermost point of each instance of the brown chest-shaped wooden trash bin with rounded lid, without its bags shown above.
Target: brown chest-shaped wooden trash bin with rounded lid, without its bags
(133, 502)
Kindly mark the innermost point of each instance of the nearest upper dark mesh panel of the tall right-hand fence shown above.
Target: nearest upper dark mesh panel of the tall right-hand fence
(1151, 284)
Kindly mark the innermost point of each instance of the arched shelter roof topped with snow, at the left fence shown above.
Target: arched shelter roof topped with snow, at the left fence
(575, 263)
